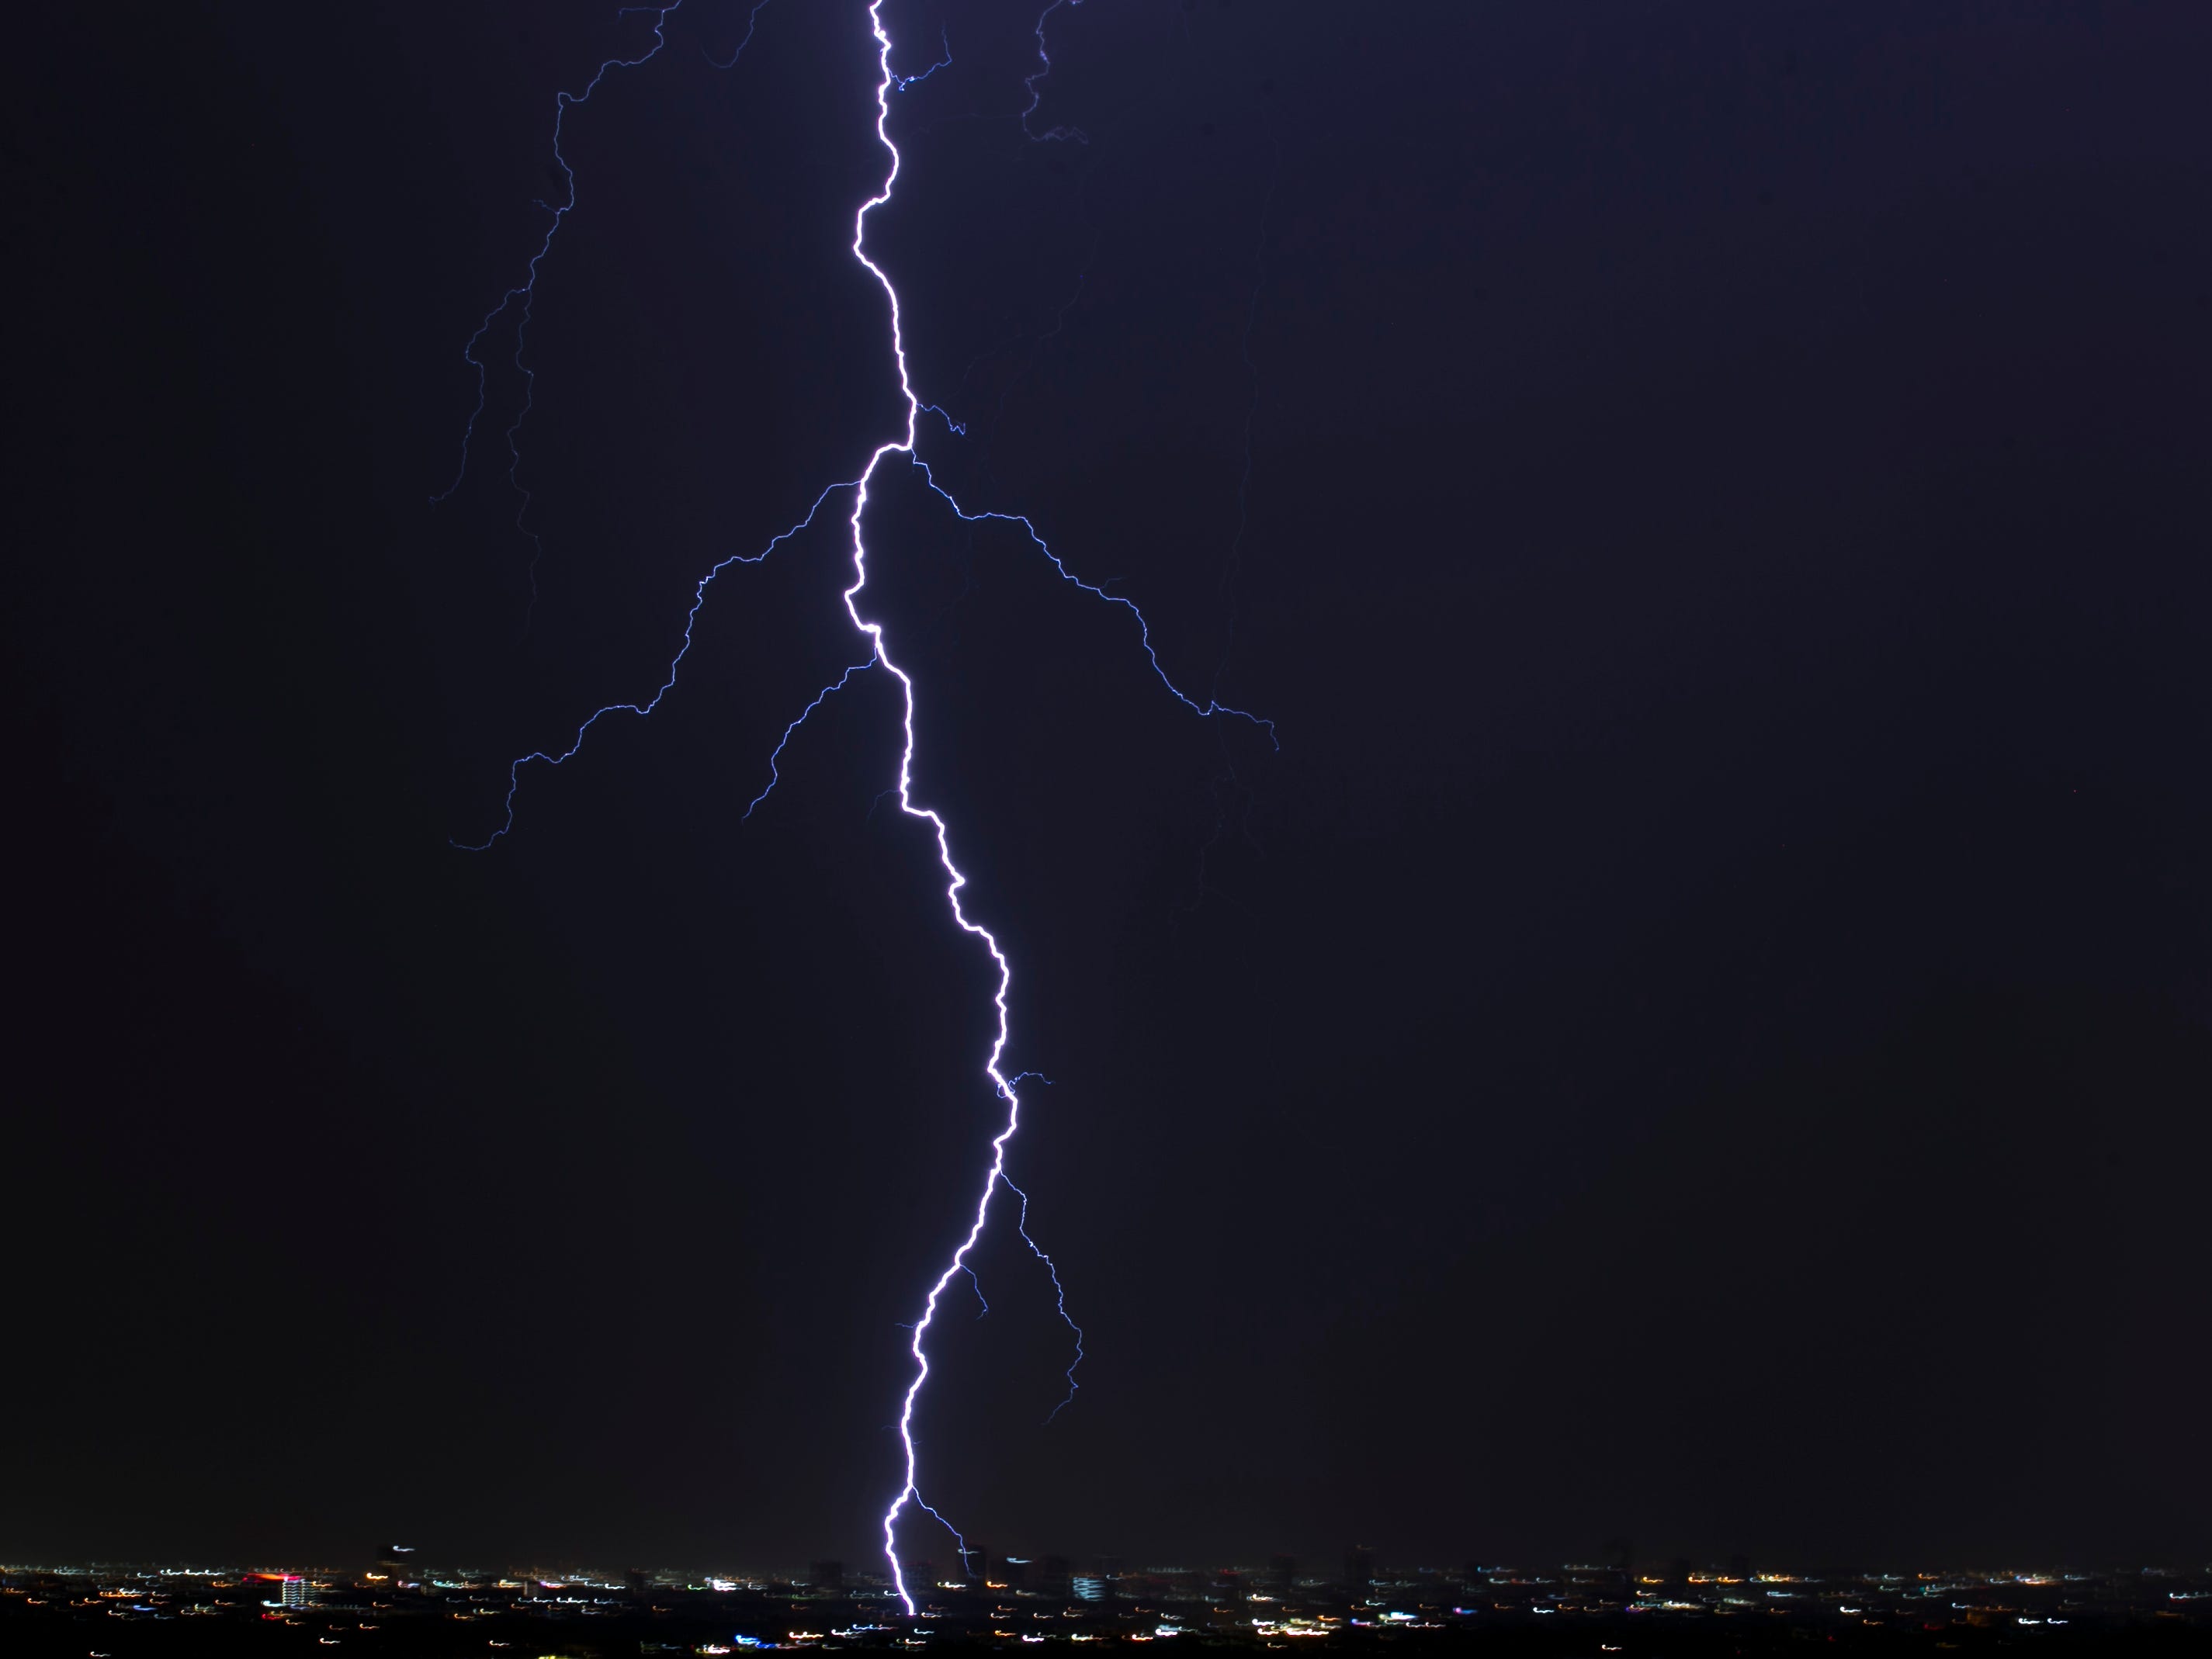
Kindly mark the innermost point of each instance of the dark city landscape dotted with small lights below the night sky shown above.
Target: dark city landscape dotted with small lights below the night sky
(125, 1614)
